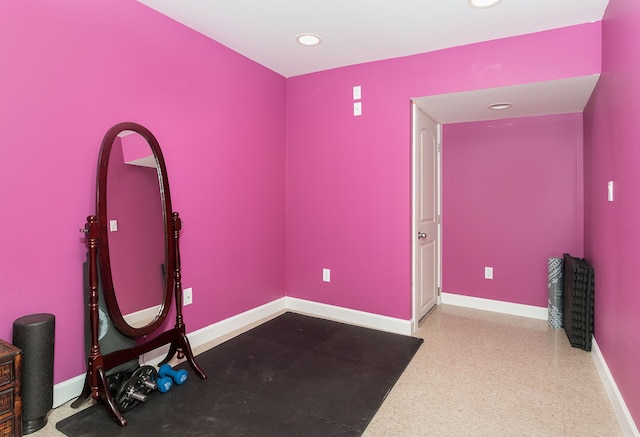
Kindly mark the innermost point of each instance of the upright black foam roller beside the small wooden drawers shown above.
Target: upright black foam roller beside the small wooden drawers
(35, 334)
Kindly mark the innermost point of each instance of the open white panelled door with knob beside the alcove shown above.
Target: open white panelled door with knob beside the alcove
(426, 210)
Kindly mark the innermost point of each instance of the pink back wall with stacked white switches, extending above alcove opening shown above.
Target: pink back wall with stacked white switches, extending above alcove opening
(349, 178)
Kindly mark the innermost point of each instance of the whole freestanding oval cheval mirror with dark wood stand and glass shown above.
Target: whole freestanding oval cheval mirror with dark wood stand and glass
(132, 273)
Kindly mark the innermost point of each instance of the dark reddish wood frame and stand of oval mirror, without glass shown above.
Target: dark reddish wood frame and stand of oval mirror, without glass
(96, 229)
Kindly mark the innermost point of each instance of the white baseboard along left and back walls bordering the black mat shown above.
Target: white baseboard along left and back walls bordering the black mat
(71, 388)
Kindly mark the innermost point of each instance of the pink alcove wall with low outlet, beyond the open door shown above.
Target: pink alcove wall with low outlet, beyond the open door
(511, 198)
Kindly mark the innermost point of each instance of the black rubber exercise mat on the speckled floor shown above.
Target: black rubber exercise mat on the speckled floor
(291, 376)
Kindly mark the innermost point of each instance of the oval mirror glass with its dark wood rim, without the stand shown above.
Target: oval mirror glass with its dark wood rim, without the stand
(132, 217)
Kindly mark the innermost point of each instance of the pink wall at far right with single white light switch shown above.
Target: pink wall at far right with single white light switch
(612, 229)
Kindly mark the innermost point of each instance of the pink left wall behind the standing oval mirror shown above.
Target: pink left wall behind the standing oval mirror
(71, 69)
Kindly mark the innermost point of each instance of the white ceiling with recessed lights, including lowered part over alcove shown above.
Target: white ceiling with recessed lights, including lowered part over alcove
(357, 31)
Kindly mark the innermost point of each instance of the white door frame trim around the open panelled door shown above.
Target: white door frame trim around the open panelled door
(414, 232)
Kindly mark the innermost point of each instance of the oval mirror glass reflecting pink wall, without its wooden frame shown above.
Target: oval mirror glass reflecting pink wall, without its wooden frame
(136, 248)
